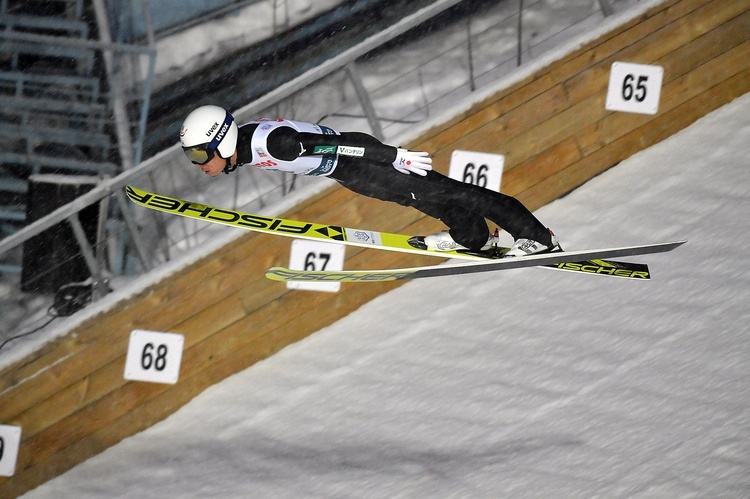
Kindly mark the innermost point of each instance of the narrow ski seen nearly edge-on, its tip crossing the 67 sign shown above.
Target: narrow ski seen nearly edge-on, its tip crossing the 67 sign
(560, 260)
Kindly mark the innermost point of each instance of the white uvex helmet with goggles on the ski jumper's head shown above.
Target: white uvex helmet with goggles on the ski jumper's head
(207, 130)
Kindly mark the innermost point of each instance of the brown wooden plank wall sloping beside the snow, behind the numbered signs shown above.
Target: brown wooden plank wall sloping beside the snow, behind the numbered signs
(70, 396)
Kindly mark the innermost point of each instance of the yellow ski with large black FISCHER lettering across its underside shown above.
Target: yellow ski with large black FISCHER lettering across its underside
(352, 237)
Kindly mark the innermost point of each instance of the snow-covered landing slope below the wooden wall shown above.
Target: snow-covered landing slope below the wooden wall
(524, 383)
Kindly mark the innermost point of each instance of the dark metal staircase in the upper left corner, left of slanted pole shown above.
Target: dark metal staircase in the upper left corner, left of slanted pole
(52, 116)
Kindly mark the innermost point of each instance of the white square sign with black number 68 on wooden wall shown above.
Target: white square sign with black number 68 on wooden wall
(154, 356)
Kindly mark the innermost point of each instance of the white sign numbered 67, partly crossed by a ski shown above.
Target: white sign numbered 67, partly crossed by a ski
(316, 255)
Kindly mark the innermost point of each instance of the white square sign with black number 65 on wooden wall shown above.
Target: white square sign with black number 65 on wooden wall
(634, 88)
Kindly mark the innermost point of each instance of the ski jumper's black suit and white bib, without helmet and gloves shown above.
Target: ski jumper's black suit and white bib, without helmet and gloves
(363, 164)
